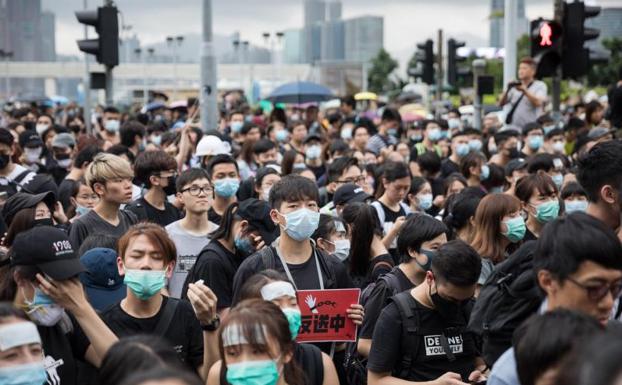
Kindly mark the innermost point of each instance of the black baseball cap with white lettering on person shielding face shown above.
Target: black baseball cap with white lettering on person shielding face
(49, 249)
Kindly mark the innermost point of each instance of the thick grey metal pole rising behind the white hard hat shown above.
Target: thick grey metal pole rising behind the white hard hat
(209, 89)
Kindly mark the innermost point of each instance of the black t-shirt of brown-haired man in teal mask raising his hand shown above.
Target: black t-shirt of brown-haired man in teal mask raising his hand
(184, 334)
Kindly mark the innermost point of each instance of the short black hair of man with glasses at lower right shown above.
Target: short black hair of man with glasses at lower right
(567, 242)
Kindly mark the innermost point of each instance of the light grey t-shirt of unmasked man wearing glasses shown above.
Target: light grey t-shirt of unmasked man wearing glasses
(188, 246)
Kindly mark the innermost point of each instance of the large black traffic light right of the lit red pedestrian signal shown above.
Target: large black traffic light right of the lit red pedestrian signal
(576, 57)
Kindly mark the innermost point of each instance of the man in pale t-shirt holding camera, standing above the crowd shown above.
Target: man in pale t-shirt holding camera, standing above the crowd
(526, 97)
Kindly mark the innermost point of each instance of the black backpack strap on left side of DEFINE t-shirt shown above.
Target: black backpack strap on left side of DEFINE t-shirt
(410, 325)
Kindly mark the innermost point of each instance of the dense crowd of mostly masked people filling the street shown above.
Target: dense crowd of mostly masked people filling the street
(151, 251)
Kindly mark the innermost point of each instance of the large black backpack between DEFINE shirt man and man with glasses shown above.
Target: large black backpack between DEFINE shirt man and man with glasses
(508, 297)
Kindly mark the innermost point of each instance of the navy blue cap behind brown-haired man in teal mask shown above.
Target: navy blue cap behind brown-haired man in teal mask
(102, 282)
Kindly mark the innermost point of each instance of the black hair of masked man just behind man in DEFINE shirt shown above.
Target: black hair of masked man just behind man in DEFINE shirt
(417, 229)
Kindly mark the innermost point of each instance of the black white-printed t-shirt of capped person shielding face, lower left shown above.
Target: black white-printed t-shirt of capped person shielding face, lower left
(61, 352)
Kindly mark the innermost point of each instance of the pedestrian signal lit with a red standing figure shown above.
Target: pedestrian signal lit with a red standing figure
(546, 46)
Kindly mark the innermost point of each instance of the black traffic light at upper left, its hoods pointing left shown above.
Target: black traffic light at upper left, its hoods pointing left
(106, 47)
